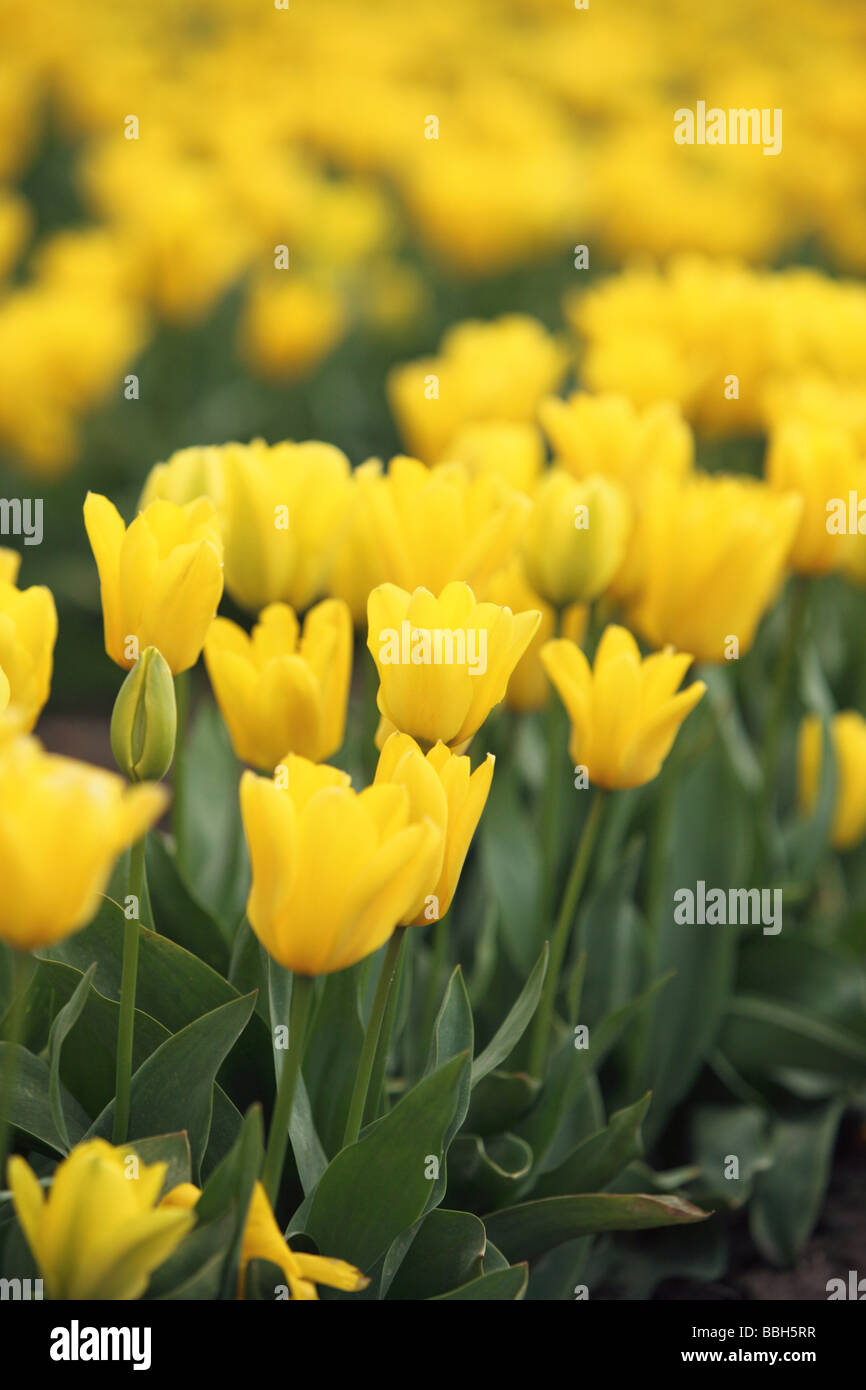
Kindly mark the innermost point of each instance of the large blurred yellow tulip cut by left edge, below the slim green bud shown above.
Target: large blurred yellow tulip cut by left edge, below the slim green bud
(62, 828)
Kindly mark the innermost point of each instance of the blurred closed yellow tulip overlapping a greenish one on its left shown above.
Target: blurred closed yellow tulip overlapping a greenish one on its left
(286, 511)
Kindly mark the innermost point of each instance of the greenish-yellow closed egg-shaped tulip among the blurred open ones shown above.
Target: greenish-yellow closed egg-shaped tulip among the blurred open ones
(576, 537)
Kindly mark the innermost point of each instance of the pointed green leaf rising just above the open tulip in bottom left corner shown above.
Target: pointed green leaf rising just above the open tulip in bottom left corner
(176, 1085)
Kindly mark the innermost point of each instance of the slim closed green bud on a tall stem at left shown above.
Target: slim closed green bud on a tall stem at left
(145, 719)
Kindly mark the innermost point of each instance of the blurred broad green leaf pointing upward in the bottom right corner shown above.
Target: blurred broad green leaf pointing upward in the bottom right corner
(789, 1197)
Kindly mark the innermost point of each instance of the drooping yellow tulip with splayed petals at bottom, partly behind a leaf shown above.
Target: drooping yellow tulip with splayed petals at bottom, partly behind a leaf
(265, 1241)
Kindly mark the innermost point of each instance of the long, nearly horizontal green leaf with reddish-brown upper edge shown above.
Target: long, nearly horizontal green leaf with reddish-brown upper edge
(529, 1229)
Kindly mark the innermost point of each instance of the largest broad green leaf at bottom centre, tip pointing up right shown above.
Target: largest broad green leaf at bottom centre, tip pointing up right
(379, 1186)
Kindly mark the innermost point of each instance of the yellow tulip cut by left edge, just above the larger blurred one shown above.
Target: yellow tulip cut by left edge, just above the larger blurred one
(28, 632)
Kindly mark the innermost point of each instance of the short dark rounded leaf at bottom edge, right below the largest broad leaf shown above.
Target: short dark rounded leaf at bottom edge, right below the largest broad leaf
(447, 1252)
